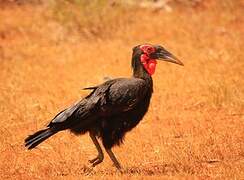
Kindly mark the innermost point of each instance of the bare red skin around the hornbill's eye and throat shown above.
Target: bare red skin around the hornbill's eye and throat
(149, 64)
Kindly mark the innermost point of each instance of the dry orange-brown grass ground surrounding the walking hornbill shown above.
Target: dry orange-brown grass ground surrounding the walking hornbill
(194, 128)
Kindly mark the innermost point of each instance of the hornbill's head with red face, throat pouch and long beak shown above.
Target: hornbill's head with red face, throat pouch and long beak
(147, 55)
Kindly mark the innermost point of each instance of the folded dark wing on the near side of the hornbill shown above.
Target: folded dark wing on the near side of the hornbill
(112, 97)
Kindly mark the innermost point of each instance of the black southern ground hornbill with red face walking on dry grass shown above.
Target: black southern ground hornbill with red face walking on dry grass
(112, 108)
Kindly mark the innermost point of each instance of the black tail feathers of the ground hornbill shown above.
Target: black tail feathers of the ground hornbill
(37, 138)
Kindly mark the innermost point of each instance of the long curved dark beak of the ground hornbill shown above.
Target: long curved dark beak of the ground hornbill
(162, 54)
